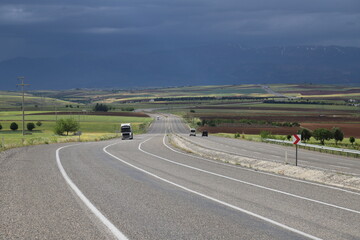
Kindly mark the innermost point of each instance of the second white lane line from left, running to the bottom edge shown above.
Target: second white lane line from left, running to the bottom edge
(213, 199)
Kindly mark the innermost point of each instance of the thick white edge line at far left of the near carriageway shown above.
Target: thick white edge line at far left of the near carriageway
(116, 232)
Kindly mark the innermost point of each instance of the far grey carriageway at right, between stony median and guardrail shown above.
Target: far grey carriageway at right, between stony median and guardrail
(272, 152)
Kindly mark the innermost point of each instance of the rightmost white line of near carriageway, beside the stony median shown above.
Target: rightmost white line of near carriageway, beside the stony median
(259, 172)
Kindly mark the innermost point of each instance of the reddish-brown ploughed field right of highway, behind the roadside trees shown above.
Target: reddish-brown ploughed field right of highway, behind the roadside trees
(347, 121)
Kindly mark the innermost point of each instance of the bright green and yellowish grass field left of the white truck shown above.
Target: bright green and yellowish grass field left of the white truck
(93, 128)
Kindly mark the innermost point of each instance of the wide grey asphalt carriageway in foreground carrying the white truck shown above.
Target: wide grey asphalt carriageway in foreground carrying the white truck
(146, 189)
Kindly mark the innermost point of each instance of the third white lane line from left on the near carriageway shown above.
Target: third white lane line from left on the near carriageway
(247, 183)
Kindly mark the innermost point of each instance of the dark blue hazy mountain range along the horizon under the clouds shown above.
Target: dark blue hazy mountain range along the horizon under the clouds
(206, 65)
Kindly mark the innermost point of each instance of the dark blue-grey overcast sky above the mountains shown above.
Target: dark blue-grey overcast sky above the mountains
(41, 28)
